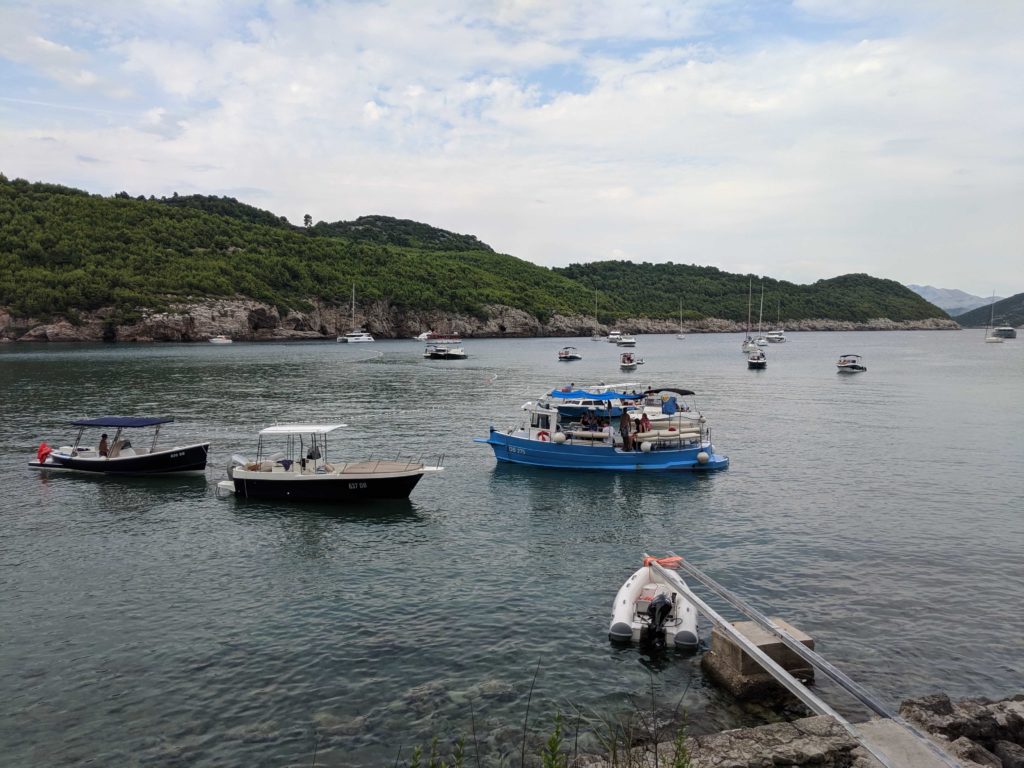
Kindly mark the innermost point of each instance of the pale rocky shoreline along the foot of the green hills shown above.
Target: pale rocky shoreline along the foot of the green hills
(246, 320)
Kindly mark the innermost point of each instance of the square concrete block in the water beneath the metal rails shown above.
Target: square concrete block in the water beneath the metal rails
(745, 678)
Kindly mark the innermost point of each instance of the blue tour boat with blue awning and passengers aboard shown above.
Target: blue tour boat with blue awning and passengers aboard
(559, 437)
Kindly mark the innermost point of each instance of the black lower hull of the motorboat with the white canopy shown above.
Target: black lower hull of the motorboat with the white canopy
(319, 489)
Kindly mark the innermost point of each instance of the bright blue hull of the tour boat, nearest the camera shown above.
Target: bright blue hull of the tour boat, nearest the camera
(550, 455)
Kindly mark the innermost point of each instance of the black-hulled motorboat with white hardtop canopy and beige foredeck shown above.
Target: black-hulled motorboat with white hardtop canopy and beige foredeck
(303, 472)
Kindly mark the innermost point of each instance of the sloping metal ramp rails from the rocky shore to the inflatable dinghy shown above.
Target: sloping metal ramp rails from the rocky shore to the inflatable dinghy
(893, 742)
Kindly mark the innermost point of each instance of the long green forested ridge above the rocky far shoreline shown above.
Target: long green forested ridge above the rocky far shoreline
(64, 251)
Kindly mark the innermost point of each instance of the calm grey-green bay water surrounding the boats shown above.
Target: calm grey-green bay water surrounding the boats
(150, 623)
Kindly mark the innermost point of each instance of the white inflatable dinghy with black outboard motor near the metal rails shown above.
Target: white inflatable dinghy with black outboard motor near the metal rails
(653, 613)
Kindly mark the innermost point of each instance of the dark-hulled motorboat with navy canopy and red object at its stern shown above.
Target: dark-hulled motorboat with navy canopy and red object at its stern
(119, 457)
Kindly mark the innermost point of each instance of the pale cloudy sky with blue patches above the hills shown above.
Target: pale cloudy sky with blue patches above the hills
(798, 141)
